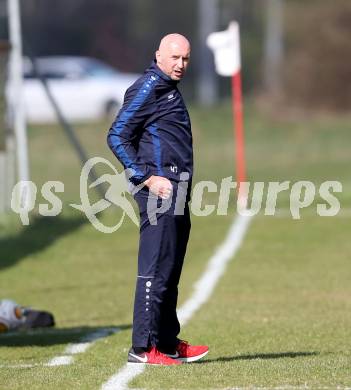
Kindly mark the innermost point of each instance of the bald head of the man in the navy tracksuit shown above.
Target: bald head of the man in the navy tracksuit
(173, 55)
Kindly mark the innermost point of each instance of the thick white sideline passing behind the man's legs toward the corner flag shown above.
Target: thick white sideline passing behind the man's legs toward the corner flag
(203, 289)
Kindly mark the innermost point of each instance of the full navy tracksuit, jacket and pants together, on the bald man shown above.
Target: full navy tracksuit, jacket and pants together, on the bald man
(152, 136)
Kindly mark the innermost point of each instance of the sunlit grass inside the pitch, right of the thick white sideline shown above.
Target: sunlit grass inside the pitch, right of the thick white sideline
(280, 315)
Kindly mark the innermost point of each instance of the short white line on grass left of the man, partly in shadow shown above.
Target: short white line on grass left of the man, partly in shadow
(74, 349)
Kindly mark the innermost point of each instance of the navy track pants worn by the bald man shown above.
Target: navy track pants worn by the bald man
(162, 249)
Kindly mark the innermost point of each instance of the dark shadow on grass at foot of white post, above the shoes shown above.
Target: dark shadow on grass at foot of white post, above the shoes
(41, 233)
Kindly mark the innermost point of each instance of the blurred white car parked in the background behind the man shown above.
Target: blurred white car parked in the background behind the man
(85, 89)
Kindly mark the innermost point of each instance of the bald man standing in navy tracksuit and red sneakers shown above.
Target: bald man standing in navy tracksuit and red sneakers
(151, 137)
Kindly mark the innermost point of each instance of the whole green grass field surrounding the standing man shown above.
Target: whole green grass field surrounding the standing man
(279, 317)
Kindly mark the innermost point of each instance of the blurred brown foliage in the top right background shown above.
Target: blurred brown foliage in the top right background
(317, 66)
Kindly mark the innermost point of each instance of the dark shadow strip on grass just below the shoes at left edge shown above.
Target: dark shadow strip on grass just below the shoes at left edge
(53, 336)
